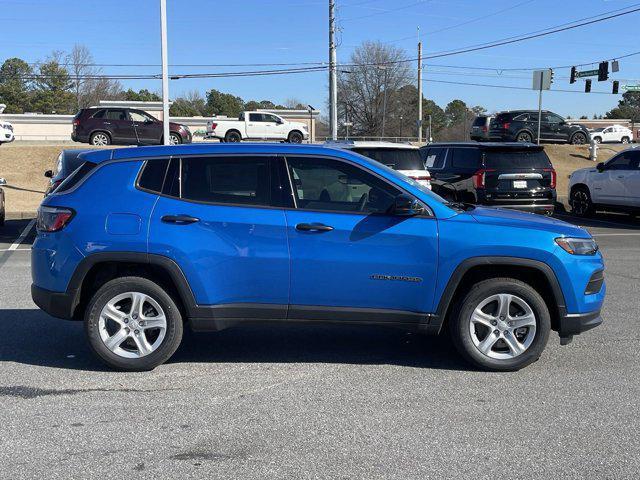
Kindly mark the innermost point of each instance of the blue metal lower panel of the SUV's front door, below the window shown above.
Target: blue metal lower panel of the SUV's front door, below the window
(369, 261)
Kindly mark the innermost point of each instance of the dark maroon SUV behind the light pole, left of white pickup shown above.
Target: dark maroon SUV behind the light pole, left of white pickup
(128, 126)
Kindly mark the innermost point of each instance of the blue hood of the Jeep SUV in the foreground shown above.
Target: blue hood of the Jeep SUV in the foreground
(514, 218)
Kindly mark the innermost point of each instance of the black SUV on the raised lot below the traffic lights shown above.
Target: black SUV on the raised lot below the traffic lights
(522, 126)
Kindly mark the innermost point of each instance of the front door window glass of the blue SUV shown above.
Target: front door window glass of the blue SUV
(332, 185)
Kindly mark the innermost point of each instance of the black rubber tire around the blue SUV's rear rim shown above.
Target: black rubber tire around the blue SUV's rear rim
(168, 345)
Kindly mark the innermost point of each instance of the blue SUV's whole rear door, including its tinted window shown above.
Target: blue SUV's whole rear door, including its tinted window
(230, 254)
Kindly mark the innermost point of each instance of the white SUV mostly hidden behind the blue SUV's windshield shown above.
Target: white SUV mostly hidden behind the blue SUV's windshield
(403, 157)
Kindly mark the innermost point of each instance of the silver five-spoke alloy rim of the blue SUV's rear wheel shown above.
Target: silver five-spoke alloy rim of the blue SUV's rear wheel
(132, 325)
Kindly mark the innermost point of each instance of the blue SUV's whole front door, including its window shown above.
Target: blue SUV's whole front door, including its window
(347, 251)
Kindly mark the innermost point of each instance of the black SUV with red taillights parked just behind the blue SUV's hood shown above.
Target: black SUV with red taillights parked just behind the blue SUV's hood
(510, 175)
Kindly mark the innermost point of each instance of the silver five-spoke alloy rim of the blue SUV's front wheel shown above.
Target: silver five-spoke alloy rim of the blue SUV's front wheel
(502, 326)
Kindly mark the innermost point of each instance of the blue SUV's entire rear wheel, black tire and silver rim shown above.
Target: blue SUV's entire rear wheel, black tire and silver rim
(133, 324)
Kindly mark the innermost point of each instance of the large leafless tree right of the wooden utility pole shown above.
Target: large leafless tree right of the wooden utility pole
(373, 68)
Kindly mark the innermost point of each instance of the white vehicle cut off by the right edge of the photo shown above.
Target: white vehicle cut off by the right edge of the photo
(611, 186)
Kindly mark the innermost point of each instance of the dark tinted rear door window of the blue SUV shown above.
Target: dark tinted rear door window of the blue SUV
(232, 180)
